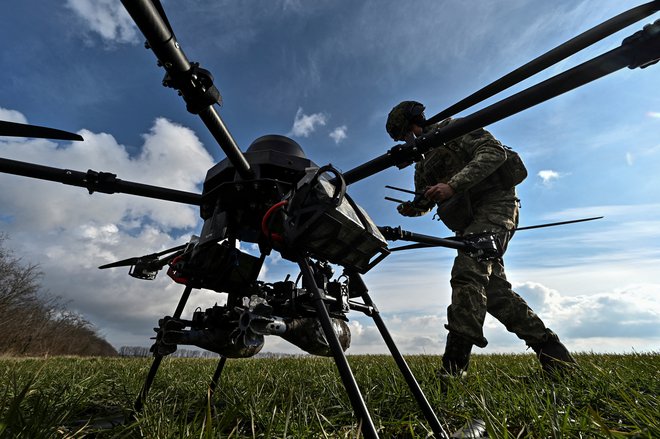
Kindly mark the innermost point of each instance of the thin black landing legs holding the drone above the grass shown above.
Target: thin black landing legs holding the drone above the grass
(319, 299)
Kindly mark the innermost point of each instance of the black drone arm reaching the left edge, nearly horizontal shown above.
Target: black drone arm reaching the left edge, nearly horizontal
(104, 182)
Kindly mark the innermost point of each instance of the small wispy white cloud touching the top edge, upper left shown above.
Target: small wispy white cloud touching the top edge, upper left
(107, 18)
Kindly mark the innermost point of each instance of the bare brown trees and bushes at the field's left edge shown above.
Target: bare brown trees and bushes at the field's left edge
(36, 323)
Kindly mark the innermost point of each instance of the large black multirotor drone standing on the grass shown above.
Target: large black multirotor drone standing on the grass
(273, 196)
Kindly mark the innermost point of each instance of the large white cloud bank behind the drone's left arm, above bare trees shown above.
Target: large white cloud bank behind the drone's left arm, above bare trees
(69, 233)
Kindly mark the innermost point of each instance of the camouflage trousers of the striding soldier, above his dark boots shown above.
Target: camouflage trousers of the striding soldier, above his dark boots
(479, 287)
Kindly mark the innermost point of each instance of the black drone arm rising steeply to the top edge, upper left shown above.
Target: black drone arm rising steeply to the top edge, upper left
(194, 84)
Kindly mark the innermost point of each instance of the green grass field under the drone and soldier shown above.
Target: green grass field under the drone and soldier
(612, 396)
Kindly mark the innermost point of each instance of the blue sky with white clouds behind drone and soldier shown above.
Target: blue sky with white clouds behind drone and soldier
(326, 73)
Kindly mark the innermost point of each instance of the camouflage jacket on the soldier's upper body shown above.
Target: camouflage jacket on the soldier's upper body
(467, 164)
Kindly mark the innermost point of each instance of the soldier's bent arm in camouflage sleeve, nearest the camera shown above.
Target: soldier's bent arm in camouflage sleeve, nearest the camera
(487, 155)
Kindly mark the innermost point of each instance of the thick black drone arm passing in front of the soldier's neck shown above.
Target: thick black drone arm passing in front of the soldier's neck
(642, 49)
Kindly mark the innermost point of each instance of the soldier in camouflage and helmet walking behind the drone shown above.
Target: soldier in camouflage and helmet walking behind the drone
(464, 179)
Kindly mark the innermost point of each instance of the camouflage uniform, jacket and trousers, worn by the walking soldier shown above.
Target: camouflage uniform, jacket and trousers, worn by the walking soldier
(469, 164)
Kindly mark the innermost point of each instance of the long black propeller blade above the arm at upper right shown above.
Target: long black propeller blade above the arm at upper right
(550, 58)
